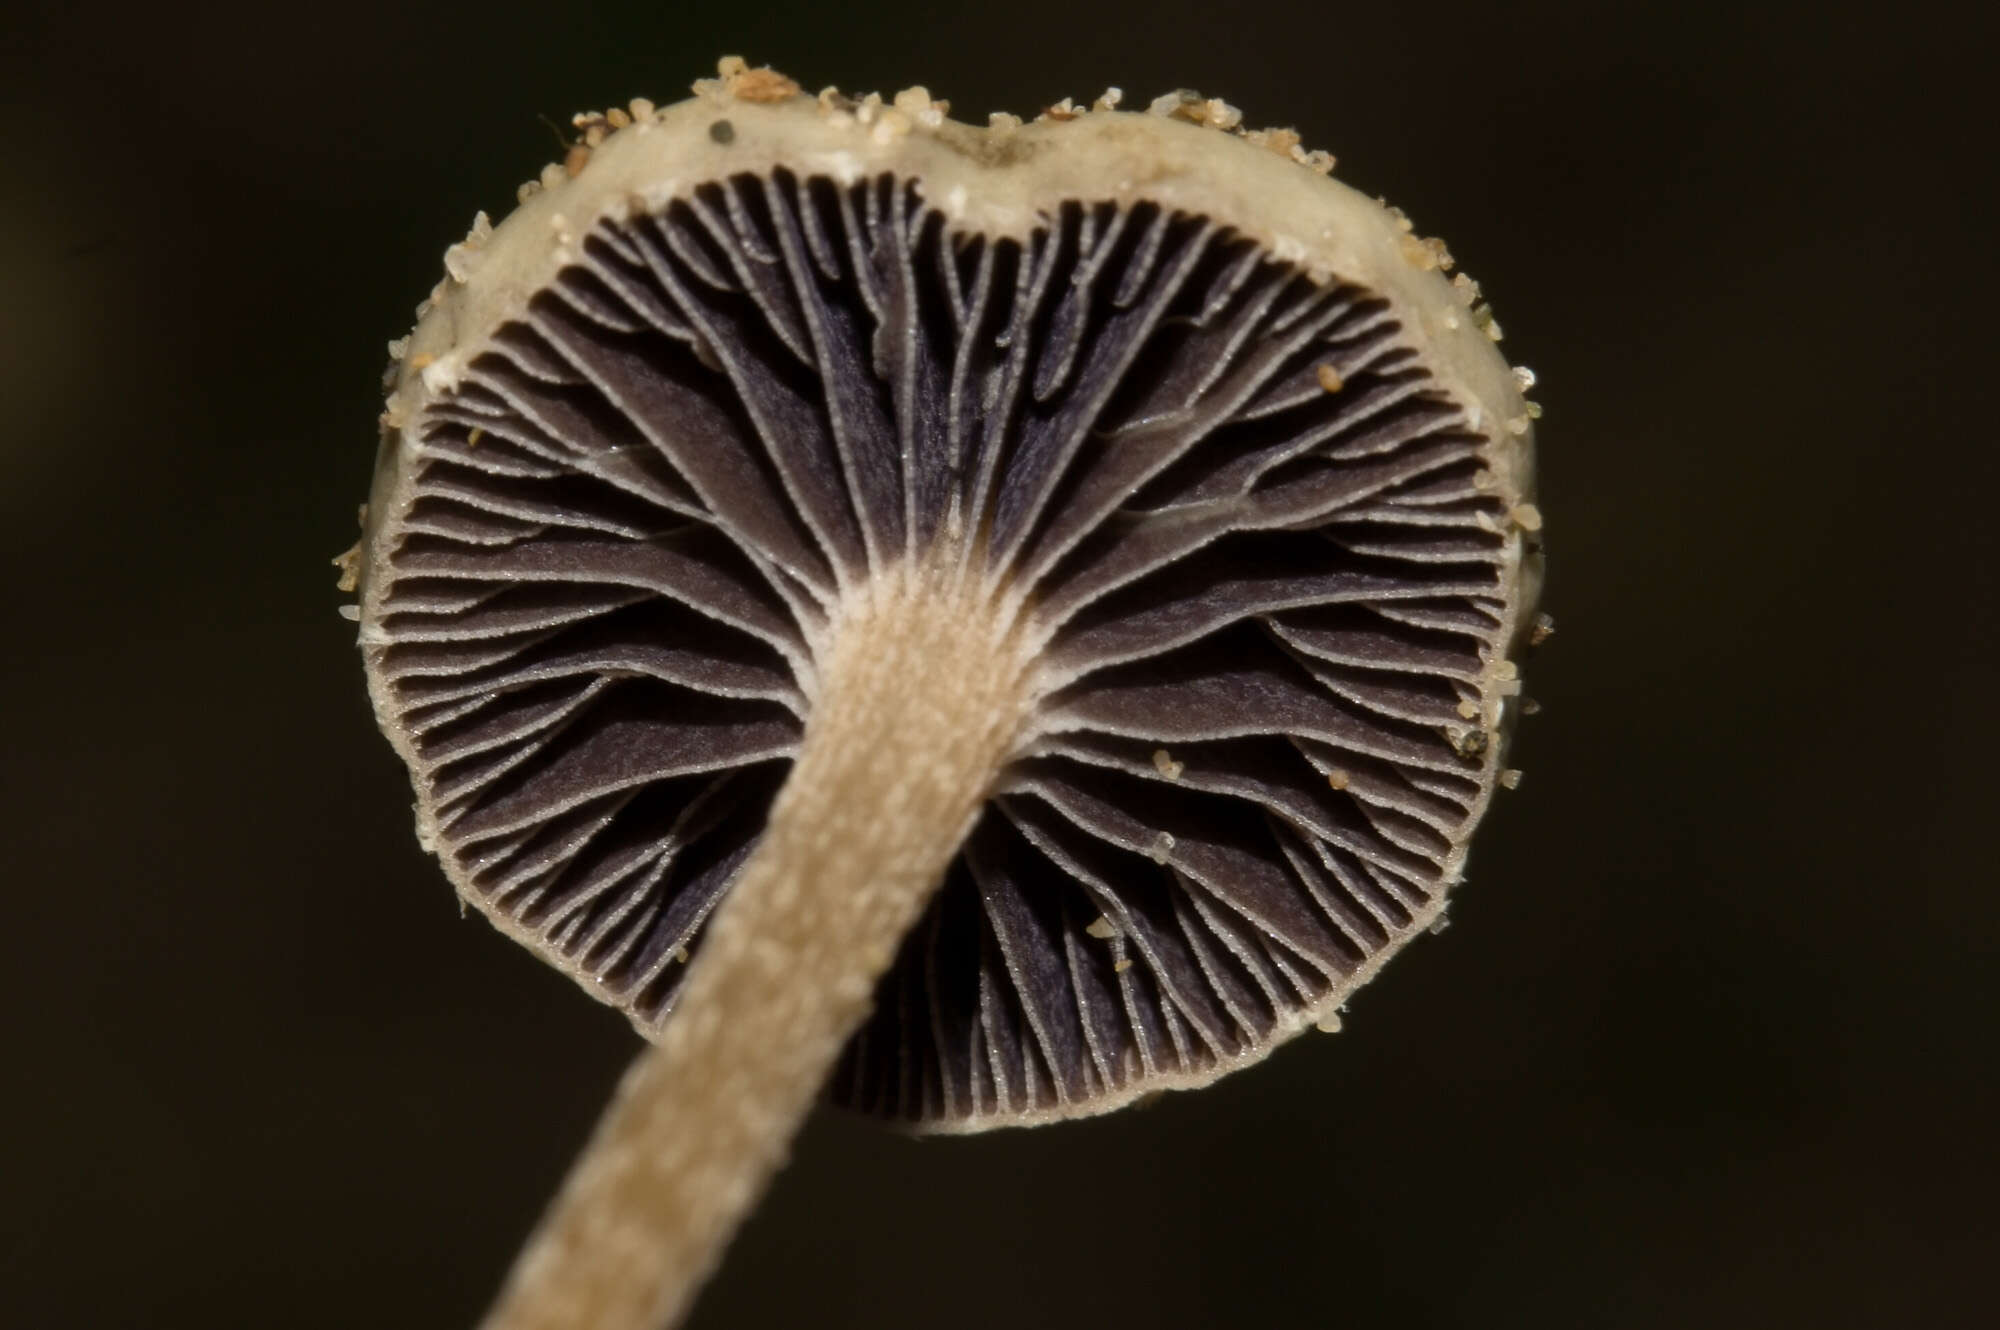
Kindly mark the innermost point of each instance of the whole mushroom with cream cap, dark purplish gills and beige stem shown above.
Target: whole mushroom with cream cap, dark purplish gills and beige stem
(985, 623)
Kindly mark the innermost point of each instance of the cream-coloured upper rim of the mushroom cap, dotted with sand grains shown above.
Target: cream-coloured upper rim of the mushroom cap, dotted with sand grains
(995, 181)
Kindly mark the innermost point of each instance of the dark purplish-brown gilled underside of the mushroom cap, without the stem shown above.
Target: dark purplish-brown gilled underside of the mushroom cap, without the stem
(1261, 539)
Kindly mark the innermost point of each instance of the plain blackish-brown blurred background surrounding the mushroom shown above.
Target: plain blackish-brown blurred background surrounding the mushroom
(1709, 1043)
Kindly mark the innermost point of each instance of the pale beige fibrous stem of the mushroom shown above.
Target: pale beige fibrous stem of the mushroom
(921, 699)
